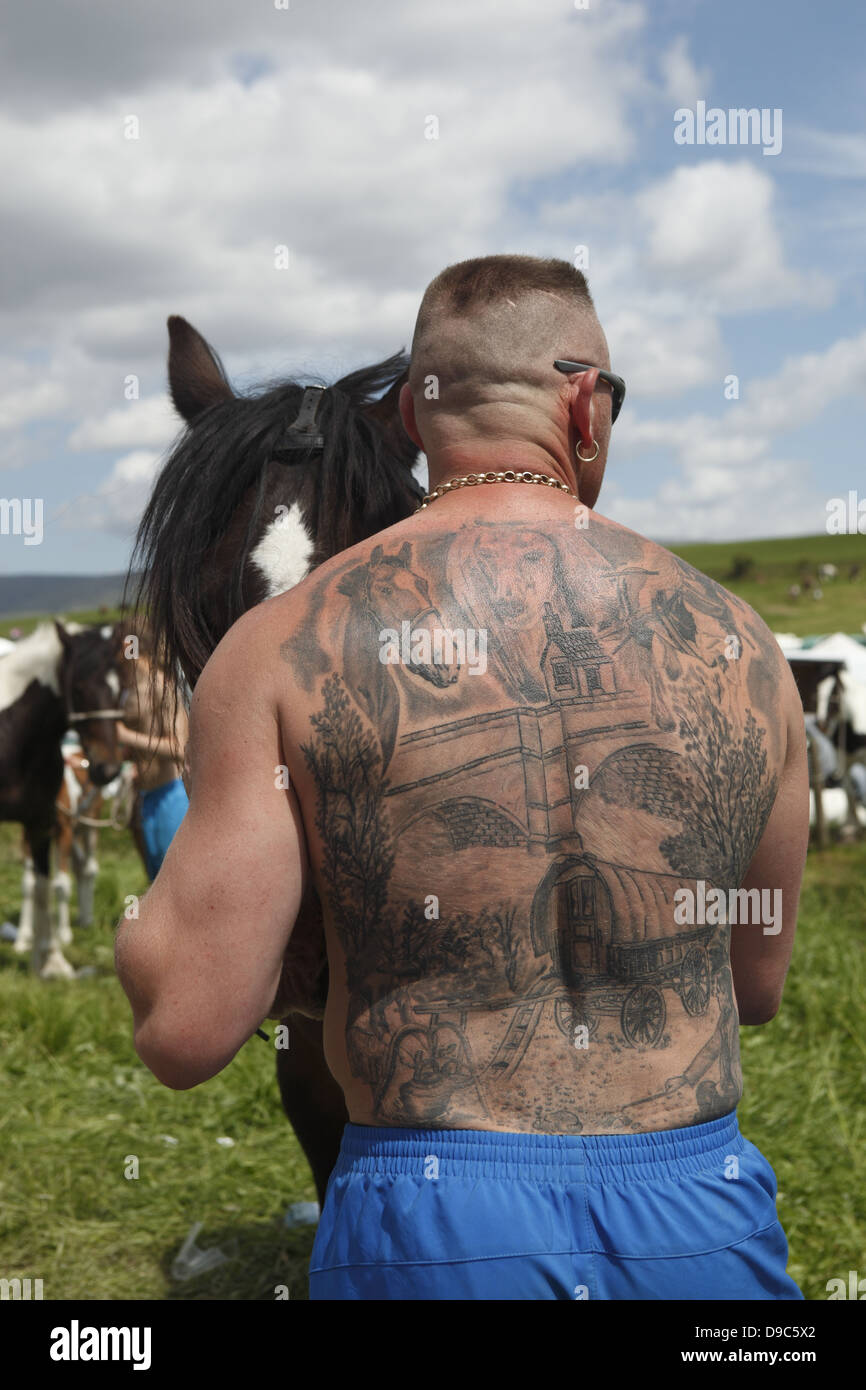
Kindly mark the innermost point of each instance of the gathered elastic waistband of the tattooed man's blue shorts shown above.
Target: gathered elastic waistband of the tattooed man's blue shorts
(540, 1157)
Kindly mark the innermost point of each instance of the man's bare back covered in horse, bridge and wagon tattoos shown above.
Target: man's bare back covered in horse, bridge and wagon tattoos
(501, 853)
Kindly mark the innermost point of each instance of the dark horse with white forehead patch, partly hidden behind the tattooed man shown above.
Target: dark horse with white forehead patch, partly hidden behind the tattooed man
(259, 491)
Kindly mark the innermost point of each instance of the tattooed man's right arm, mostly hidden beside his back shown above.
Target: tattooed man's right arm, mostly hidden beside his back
(760, 964)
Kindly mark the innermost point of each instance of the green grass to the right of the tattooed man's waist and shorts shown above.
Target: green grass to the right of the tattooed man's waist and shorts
(804, 1100)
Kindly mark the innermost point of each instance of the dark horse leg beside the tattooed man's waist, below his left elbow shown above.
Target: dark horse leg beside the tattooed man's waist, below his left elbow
(311, 1097)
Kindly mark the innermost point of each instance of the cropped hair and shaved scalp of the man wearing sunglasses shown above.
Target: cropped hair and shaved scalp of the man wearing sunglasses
(490, 329)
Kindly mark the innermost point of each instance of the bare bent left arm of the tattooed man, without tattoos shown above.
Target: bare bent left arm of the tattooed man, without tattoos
(202, 964)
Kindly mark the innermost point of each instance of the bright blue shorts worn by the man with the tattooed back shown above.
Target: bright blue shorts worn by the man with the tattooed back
(468, 1214)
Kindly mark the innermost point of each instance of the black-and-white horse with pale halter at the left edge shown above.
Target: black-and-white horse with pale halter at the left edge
(54, 679)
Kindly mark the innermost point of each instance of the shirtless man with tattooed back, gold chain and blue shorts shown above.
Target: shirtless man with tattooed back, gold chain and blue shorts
(532, 757)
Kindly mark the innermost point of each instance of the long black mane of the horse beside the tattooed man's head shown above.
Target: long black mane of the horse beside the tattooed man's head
(363, 484)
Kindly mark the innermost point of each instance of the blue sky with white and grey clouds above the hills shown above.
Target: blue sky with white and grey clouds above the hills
(154, 156)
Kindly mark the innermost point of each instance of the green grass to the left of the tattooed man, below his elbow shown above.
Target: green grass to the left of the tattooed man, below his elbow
(77, 1103)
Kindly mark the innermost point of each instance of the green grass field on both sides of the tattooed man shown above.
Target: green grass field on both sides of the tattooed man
(77, 1104)
